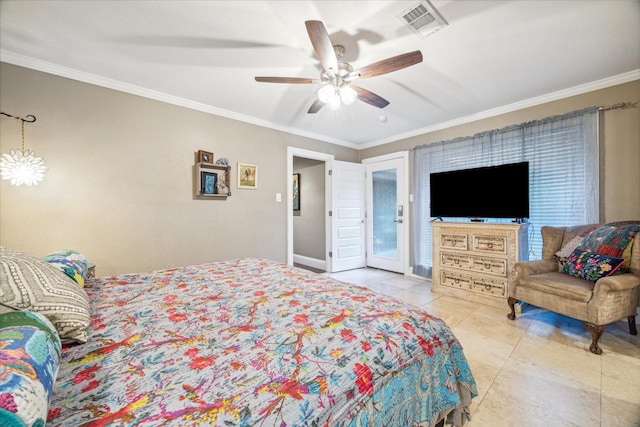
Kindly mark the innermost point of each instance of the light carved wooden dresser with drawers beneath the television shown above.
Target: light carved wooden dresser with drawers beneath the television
(474, 261)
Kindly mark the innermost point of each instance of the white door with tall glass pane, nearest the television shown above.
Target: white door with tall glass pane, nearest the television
(386, 213)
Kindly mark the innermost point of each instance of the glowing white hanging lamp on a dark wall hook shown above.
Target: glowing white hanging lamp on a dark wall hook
(22, 166)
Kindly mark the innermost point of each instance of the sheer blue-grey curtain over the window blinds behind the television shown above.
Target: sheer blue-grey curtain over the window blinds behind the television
(562, 152)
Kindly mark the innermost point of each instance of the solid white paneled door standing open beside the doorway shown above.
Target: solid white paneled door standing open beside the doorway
(348, 216)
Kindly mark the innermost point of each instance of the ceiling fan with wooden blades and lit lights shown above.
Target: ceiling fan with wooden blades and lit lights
(337, 75)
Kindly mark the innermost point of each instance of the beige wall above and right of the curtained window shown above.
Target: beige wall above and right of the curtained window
(619, 149)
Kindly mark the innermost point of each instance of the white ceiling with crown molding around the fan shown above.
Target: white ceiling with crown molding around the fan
(493, 57)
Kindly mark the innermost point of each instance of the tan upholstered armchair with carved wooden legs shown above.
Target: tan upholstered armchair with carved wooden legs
(541, 283)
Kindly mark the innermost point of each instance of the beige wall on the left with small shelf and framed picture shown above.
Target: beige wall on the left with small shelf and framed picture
(120, 182)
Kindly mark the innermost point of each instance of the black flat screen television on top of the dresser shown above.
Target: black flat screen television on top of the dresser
(479, 193)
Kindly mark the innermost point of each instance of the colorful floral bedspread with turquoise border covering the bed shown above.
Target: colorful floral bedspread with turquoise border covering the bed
(252, 342)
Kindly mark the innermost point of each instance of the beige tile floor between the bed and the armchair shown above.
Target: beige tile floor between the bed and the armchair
(536, 370)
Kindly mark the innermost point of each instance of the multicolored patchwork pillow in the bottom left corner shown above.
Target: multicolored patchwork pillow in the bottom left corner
(29, 360)
